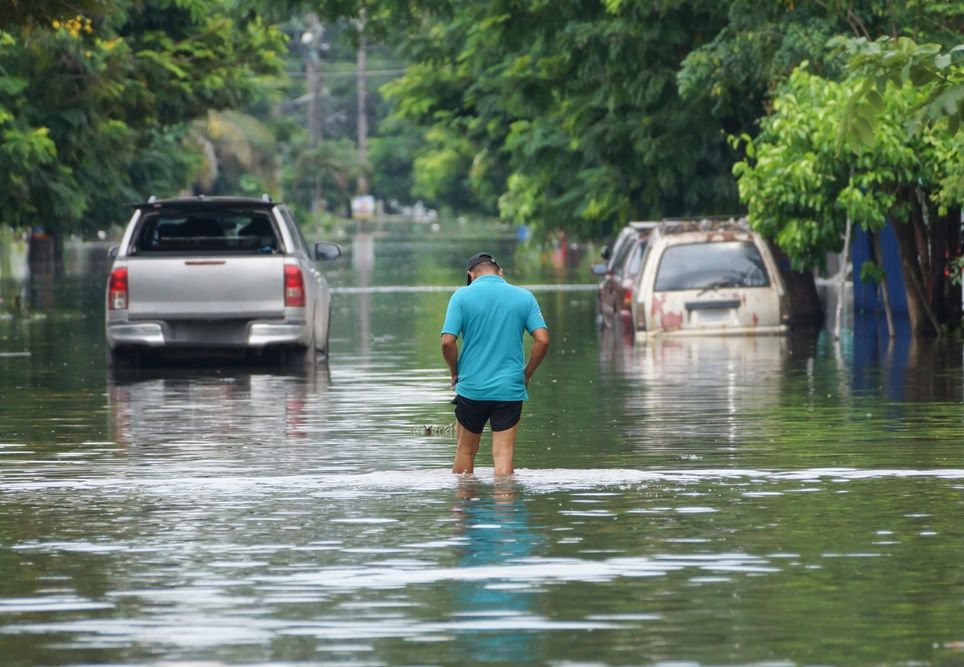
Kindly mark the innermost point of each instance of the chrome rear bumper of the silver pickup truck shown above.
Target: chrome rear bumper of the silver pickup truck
(207, 334)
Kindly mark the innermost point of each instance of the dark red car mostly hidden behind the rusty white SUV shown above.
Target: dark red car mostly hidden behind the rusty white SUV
(618, 276)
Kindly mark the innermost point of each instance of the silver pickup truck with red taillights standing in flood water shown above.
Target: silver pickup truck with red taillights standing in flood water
(220, 276)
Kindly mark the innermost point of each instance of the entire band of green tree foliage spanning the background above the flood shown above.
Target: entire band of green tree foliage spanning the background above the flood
(565, 114)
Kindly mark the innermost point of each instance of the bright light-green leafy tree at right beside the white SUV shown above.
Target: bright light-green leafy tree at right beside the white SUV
(800, 187)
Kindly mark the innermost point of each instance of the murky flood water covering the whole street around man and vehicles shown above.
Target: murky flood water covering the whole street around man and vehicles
(777, 501)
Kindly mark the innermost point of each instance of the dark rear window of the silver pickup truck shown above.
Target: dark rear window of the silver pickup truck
(219, 232)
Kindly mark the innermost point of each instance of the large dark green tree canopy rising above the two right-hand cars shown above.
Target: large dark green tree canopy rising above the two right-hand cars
(568, 111)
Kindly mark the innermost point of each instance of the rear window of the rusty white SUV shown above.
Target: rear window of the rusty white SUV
(710, 266)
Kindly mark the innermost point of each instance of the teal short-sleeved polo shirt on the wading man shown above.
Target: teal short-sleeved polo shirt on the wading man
(491, 315)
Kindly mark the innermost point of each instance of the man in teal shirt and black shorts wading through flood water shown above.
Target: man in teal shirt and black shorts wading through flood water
(490, 376)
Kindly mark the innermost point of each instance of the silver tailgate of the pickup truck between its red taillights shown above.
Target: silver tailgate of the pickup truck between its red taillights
(206, 287)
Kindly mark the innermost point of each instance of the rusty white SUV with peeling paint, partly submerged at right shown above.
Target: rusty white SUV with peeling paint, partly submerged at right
(708, 277)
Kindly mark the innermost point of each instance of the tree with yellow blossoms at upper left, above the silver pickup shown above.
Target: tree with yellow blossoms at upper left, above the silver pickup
(97, 111)
